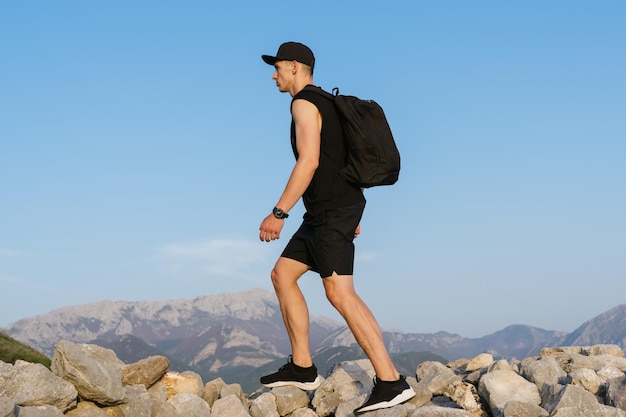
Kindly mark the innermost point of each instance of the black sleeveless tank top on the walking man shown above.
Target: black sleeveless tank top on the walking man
(328, 189)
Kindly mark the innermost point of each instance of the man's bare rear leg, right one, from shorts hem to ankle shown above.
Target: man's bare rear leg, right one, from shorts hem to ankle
(342, 295)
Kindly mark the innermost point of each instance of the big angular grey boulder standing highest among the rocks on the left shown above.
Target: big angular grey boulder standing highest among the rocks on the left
(96, 372)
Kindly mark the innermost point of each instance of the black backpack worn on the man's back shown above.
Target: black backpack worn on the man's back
(373, 158)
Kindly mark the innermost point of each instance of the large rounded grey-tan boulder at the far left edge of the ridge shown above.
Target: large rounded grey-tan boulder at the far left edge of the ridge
(34, 385)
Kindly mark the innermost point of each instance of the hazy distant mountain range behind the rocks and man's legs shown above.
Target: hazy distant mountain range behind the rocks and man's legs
(239, 336)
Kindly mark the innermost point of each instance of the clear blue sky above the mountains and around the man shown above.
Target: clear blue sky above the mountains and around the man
(142, 143)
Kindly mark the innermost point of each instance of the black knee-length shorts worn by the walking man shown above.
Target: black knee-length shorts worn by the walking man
(324, 242)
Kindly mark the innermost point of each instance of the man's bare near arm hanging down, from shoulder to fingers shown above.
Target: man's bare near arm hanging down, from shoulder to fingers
(308, 123)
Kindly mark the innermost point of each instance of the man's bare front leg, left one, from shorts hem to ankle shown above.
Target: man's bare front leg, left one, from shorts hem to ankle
(293, 307)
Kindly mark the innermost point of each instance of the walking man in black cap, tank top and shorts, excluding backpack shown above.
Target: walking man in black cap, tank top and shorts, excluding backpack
(324, 241)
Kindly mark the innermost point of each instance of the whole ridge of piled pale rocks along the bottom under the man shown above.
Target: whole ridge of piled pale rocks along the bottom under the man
(90, 381)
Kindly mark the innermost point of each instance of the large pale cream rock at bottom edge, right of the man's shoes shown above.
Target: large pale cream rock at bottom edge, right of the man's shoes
(499, 387)
